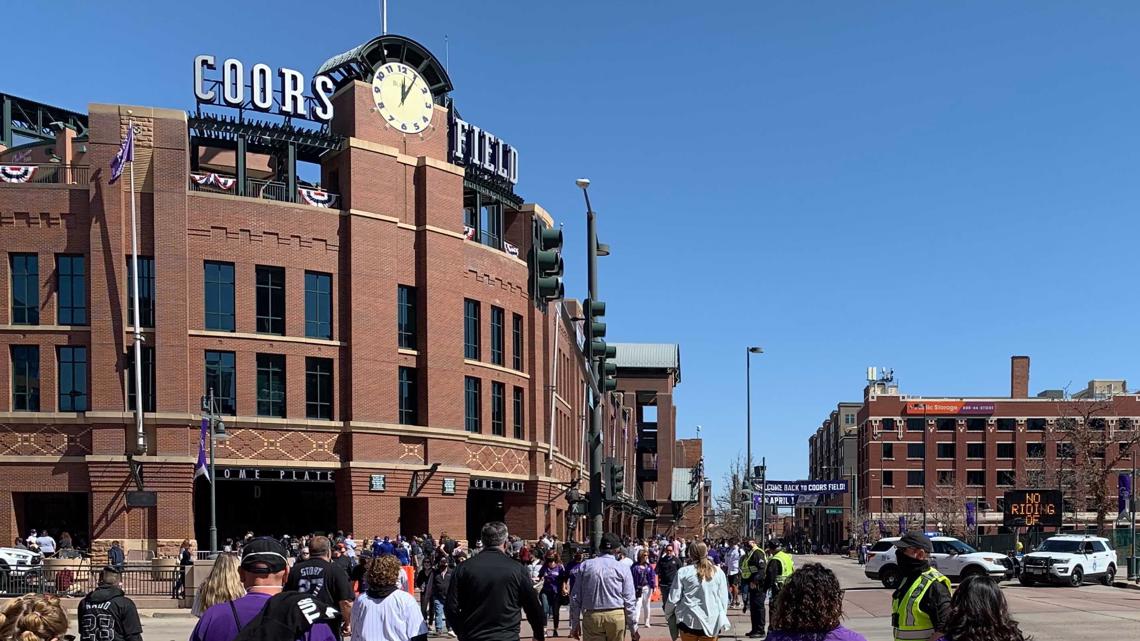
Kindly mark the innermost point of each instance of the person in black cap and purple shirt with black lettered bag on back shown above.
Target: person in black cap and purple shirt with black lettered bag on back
(266, 612)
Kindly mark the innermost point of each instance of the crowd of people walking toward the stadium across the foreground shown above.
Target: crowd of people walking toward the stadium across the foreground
(331, 588)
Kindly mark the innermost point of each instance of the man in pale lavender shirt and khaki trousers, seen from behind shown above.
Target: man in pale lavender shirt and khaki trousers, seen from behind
(604, 604)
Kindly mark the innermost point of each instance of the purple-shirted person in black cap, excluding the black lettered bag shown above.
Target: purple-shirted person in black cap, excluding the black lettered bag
(264, 572)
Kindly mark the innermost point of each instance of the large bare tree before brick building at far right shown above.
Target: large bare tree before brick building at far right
(1093, 443)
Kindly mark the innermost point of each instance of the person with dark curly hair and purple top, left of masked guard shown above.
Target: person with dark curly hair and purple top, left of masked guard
(810, 607)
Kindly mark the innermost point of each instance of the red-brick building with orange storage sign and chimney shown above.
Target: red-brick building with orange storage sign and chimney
(924, 458)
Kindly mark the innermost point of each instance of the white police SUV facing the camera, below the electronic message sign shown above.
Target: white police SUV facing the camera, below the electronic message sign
(1070, 559)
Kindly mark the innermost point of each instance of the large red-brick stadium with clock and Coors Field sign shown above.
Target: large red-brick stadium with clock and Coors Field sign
(372, 337)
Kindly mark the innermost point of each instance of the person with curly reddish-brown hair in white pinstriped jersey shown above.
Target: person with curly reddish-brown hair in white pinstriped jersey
(386, 613)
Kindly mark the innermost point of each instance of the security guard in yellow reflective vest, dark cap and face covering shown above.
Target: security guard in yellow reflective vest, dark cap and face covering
(922, 604)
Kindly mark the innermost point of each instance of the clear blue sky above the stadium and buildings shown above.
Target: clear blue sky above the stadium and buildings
(926, 186)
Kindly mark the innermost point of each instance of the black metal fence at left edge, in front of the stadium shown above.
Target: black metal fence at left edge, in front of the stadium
(79, 581)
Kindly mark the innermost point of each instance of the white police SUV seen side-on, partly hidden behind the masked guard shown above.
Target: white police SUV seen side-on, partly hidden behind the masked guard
(951, 557)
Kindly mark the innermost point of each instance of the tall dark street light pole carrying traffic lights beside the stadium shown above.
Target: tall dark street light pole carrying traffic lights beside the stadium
(596, 416)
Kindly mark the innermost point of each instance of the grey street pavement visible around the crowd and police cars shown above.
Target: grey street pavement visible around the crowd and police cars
(1049, 614)
